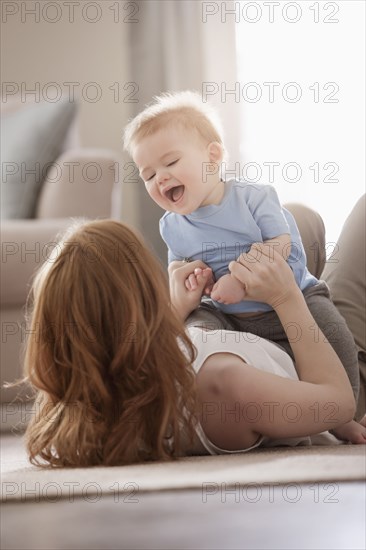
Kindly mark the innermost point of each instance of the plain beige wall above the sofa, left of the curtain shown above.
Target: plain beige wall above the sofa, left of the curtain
(84, 43)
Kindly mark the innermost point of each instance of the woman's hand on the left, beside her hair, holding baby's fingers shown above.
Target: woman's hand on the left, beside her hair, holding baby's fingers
(187, 297)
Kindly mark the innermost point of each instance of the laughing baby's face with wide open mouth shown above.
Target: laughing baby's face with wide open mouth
(176, 167)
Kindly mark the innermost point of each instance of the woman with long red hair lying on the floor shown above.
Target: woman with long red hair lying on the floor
(112, 364)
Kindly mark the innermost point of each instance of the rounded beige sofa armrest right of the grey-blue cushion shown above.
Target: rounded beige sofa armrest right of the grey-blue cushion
(82, 182)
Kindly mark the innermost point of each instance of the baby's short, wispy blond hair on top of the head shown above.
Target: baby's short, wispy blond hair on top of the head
(185, 108)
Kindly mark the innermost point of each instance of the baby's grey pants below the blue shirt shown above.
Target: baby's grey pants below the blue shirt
(267, 325)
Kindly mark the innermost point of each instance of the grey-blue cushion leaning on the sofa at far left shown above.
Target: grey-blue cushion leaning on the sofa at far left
(32, 139)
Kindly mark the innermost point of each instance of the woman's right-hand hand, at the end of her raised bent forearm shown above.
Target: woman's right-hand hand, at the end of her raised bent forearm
(265, 275)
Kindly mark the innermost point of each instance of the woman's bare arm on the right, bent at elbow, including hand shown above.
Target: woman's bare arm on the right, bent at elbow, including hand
(322, 399)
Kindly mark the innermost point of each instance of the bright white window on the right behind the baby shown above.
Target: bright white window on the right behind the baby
(301, 84)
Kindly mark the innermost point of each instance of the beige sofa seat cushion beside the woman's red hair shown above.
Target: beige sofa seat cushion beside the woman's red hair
(25, 245)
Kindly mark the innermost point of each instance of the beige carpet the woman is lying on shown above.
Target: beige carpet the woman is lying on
(317, 463)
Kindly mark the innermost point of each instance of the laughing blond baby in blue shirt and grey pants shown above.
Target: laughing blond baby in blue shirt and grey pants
(177, 145)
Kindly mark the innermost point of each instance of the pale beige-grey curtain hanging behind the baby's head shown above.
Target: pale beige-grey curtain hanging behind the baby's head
(177, 45)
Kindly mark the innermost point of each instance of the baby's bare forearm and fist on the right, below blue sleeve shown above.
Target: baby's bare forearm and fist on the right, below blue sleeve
(228, 290)
